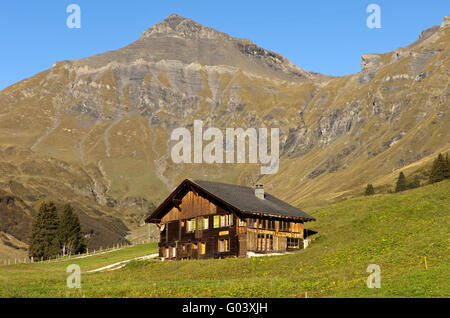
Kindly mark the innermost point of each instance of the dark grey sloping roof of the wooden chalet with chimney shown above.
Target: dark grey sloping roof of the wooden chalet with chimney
(244, 199)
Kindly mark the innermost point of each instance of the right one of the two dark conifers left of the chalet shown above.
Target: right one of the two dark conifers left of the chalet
(71, 237)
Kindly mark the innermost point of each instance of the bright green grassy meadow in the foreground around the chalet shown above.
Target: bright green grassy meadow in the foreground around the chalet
(395, 231)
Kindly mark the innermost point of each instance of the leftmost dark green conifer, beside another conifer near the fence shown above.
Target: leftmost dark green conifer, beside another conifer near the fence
(44, 241)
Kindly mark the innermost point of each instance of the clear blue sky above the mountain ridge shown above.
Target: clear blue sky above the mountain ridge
(317, 35)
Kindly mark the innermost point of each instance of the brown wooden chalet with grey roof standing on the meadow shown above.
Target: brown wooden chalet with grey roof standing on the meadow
(203, 219)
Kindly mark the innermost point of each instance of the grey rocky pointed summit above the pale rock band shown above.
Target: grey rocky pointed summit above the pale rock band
(181, 39)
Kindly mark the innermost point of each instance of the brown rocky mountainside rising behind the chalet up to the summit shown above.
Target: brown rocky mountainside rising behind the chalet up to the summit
(109, 117)
